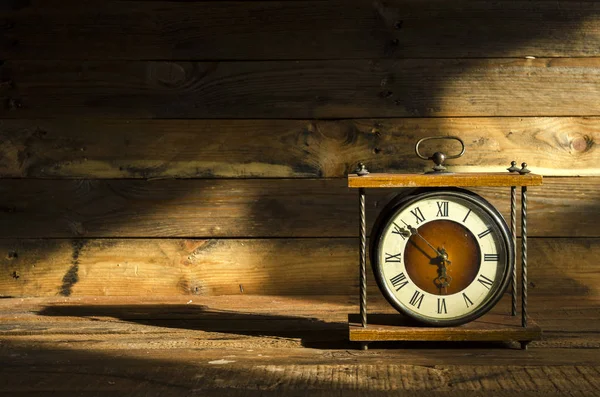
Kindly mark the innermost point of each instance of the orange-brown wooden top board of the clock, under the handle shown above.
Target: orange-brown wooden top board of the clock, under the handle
(443, 180)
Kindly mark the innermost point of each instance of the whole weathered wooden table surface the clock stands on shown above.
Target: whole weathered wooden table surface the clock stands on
(276, 346)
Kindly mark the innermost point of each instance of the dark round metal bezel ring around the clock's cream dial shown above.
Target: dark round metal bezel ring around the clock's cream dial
(405, 199)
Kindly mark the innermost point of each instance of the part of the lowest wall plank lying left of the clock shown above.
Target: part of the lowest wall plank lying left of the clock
(175, 267)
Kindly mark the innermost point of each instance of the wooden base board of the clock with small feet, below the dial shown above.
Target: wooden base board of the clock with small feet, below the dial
(488, 328)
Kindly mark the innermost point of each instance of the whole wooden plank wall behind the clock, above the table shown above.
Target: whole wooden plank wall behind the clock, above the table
(200, 147)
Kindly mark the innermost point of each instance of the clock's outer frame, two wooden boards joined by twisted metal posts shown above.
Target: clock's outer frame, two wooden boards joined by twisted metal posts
(490, 327)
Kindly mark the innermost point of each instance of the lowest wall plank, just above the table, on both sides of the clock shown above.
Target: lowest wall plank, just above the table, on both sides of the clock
(130, 267)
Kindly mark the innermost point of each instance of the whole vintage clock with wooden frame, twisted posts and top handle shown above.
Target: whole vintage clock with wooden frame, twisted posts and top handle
(443, 256)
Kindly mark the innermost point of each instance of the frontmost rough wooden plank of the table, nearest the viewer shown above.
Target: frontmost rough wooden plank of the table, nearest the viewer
(158, 374)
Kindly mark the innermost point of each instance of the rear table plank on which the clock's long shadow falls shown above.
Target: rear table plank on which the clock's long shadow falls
(288, 322)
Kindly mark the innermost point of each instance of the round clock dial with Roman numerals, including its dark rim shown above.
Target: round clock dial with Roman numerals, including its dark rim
(442, 257)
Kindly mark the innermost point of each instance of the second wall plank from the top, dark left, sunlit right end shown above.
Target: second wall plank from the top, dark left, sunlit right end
(301, 89)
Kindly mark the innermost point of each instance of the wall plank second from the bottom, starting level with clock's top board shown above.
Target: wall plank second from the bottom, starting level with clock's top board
(249, 208)
